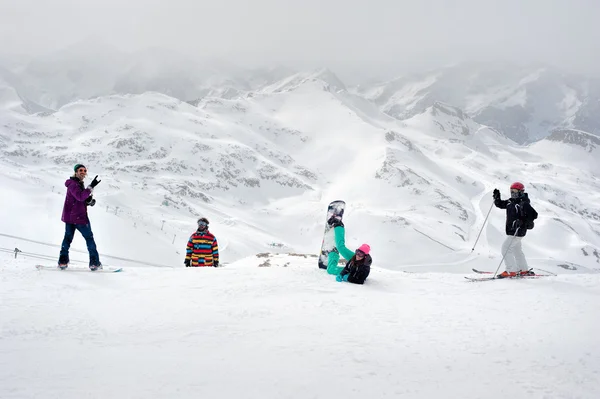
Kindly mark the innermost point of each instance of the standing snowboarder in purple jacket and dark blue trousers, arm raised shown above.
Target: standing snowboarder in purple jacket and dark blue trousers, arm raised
(75, 217)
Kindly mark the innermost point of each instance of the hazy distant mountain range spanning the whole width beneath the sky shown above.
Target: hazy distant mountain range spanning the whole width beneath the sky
(524, 103)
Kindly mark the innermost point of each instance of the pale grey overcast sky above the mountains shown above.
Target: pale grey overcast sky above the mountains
(375, 35)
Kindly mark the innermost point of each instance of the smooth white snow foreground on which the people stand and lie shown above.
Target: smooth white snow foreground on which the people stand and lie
(294, 332)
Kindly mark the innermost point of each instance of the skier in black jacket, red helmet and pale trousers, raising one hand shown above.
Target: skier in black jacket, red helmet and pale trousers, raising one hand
(519, 217)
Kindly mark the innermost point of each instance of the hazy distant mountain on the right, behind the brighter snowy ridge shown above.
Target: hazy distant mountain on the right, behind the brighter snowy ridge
(525, 104)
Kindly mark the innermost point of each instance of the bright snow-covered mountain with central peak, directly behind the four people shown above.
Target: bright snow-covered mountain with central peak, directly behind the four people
(264, 166)
